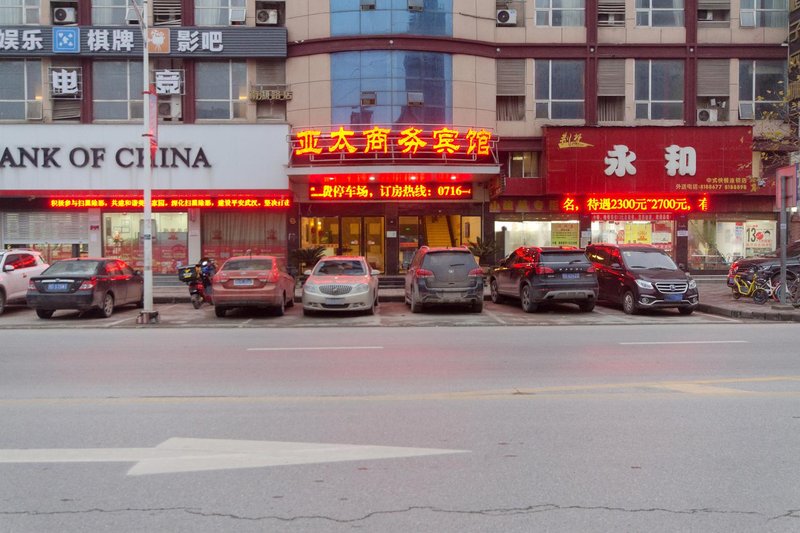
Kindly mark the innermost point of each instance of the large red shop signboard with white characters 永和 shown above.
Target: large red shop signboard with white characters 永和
(650, 159)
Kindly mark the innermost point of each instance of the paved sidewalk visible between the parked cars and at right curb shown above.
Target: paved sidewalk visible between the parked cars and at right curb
(715, 299)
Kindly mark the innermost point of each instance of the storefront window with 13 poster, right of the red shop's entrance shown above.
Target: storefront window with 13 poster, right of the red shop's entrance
(715, 244)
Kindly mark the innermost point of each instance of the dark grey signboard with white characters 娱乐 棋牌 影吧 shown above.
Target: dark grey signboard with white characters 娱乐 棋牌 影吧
(127, 41)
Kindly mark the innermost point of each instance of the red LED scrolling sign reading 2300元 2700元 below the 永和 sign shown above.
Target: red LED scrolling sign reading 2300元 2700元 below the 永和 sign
(635, 204)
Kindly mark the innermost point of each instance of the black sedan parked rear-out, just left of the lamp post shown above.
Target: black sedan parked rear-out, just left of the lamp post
(85, 284)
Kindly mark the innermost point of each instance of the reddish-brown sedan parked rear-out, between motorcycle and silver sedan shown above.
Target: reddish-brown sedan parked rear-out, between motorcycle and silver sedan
(257, 281)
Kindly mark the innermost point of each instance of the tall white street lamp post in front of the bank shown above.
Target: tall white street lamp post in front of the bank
(148, 314)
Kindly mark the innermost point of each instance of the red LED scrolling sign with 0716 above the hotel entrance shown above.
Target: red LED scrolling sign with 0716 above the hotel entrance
(411, 191)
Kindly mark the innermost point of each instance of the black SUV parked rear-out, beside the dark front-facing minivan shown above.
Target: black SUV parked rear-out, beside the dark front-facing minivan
(537, 275)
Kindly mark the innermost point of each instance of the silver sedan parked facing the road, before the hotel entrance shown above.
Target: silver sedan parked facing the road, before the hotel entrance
(341, 283)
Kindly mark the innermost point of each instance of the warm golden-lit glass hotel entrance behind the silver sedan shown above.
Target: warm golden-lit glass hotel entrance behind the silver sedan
(347, 236)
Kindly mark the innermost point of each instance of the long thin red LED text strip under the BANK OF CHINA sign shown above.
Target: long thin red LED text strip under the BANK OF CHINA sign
(246, 202)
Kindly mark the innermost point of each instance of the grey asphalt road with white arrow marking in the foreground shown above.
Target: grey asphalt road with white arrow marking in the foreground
(674, 426)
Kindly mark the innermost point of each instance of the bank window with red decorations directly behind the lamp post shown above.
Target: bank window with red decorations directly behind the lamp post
(122, 234)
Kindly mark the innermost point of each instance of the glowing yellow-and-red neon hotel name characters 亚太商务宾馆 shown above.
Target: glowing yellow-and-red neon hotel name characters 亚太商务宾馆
(384, 143)
